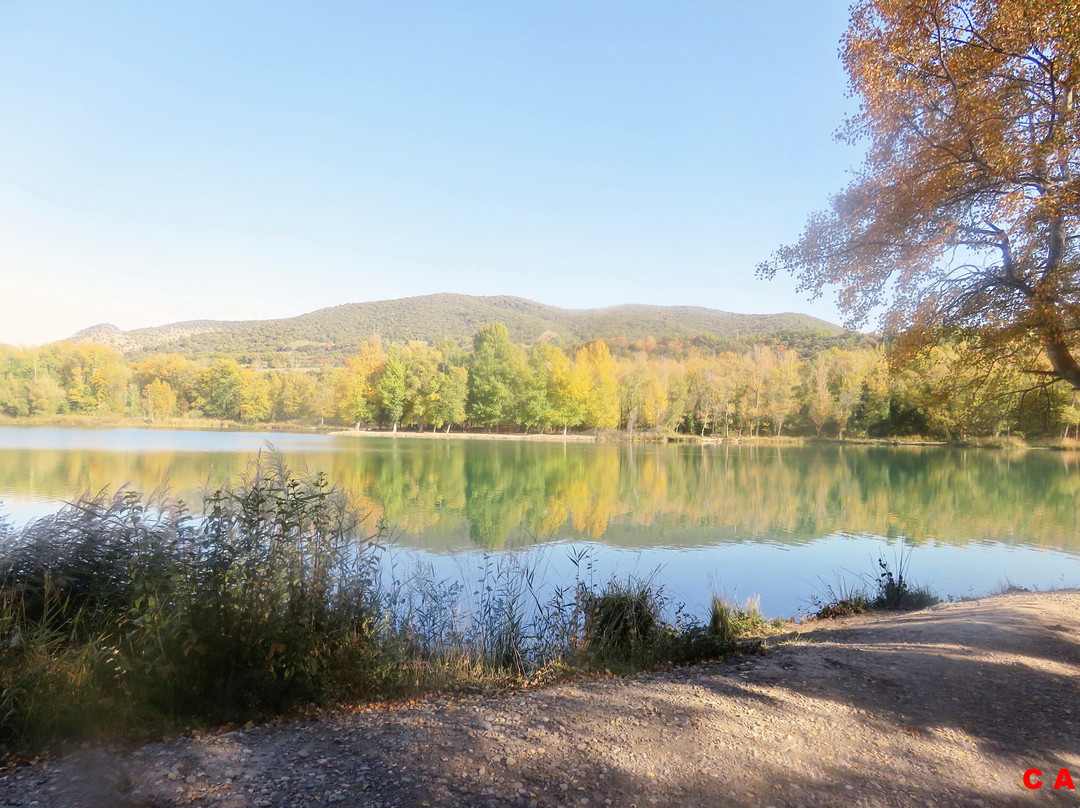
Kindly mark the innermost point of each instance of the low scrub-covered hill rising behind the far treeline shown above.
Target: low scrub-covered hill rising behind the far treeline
(434, 318)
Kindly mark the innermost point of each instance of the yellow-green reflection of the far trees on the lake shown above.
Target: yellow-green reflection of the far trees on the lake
(452, 495)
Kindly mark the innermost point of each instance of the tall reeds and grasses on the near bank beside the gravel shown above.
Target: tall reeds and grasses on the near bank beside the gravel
(124, 616)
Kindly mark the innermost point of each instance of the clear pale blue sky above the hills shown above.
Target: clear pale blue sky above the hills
(190, 160)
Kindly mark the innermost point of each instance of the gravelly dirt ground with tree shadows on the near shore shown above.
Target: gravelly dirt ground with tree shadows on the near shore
(947, 707)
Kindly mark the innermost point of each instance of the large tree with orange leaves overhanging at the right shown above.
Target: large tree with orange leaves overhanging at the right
(965, 217)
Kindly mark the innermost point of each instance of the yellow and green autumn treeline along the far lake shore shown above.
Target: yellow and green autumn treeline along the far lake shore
(795, 384)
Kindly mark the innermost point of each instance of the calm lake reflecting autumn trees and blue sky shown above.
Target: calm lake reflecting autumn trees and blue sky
(779, 522)
